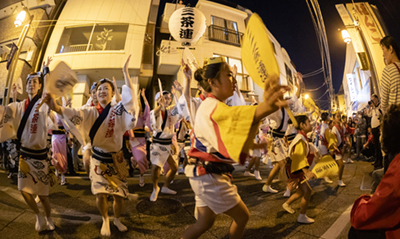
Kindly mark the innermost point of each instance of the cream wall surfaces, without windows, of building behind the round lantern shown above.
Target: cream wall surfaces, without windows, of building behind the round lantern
(170, 56)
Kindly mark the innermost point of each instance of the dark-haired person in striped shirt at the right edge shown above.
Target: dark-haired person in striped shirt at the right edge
(390, 82)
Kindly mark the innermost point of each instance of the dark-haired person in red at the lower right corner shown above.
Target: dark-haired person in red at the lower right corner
(379, 216)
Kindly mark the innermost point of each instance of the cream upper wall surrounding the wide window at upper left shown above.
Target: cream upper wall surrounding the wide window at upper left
(78, 12)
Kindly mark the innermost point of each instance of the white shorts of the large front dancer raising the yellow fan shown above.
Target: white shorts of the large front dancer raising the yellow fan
(215, 191)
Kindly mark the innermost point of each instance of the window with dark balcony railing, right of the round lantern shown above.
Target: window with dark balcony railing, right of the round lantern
(224, 30)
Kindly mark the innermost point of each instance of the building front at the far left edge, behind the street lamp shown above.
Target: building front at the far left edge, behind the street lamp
(40, 15)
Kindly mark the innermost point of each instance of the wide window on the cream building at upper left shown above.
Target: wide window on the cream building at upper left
(96, 37)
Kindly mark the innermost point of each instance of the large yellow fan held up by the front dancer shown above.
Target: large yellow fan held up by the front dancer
(258, 53)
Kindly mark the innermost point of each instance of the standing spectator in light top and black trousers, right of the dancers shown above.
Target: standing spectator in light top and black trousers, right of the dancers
(376, 113)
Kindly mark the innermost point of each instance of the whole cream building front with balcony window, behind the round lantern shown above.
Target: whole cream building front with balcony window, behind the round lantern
(226, 24)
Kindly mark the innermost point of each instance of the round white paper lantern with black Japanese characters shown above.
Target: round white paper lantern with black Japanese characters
(187, 25)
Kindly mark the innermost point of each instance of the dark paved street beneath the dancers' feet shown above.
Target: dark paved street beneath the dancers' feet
(76, 216)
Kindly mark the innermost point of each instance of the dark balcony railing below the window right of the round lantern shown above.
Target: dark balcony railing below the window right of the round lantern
(220, 34)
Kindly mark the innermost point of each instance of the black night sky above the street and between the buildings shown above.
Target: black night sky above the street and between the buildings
(290, 23)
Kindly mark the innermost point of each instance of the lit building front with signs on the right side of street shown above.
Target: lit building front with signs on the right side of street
(364, 62)
